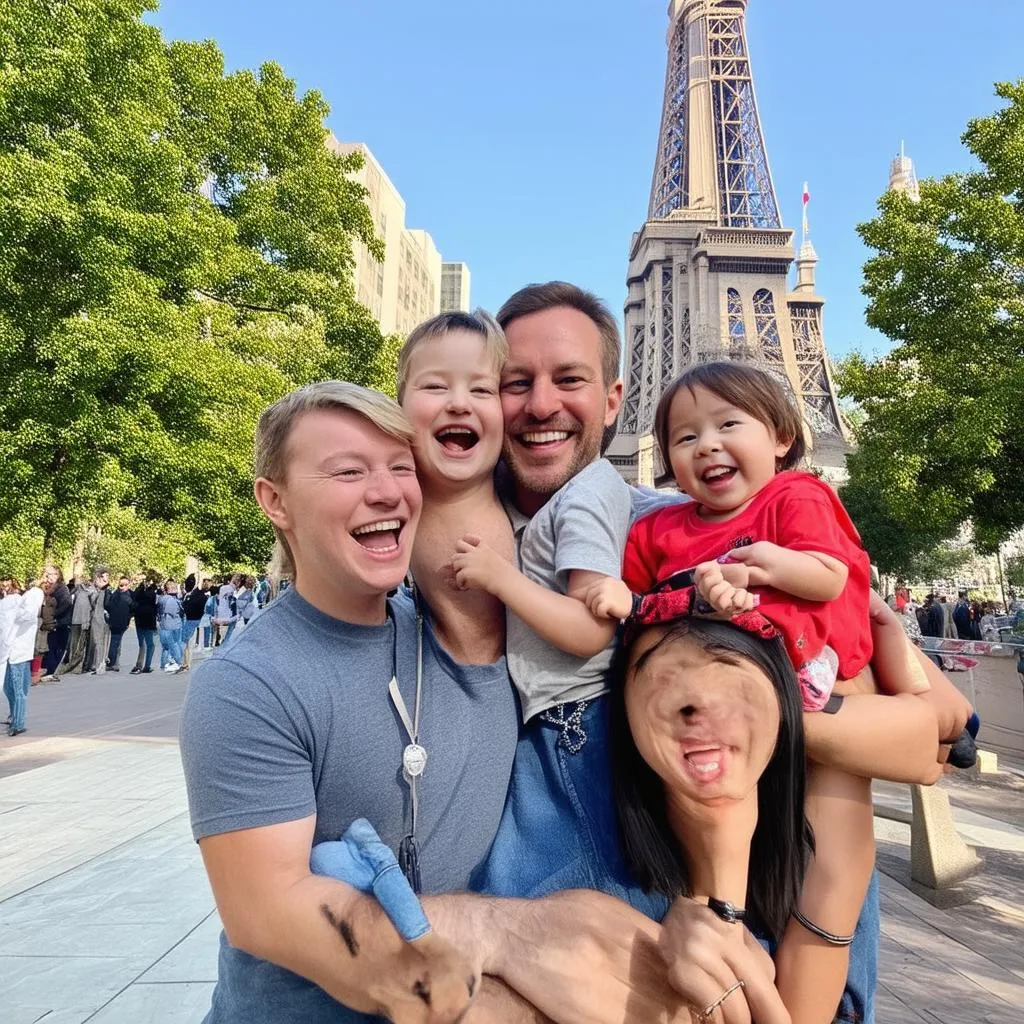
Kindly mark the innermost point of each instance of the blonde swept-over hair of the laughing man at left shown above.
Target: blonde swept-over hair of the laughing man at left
(277, 421)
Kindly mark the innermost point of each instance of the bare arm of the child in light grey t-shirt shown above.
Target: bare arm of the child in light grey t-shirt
(561, 619)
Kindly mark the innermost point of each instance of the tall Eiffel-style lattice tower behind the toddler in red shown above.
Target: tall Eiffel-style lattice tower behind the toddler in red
(709, 271)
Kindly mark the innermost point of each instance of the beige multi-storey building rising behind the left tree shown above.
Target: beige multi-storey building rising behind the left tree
(406, 289)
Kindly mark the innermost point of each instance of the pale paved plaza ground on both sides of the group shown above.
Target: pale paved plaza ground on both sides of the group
(106, 915)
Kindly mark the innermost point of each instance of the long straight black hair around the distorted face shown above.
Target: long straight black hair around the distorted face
(783, 839)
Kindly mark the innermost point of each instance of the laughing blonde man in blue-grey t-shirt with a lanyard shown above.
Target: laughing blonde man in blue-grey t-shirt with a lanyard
(292, 733)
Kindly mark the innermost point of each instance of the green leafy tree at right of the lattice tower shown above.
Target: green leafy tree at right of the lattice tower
(943, 443)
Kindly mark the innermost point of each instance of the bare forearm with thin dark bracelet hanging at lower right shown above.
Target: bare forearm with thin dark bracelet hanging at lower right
(810, 972)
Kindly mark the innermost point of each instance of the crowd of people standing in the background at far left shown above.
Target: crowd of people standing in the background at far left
(52, 627)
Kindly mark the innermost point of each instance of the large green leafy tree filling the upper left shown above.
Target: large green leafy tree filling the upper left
(176, 252)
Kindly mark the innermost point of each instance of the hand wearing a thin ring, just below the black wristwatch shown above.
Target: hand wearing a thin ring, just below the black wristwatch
(706, 957)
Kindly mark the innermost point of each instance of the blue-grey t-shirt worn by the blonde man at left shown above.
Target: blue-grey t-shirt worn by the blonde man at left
(294, 718)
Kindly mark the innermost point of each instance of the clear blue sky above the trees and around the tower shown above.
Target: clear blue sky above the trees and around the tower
(523, 134)
